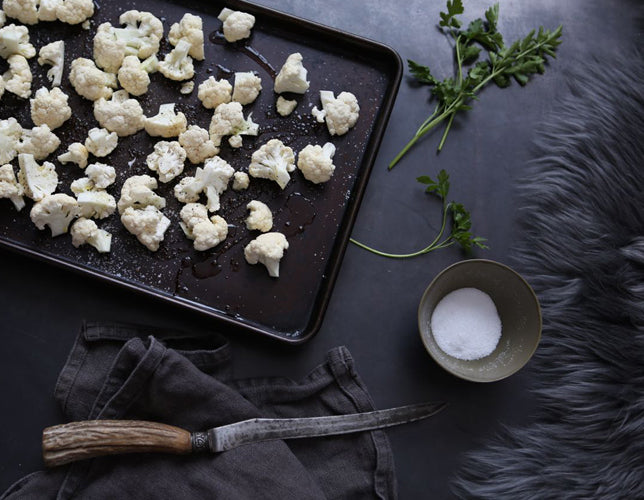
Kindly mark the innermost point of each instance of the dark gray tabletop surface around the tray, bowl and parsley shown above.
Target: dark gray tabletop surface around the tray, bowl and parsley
(373, 306)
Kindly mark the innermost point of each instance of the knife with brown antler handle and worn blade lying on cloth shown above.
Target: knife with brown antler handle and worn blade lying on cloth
(74, 441)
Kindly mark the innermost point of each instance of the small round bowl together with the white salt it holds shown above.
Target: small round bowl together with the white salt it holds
(480, 320)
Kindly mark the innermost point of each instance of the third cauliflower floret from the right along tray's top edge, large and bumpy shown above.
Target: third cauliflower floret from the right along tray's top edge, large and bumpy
(142, 33)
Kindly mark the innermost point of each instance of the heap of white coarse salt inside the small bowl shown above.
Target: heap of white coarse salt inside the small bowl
(466, 324)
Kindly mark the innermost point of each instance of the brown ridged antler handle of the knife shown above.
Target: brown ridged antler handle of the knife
(67, 443)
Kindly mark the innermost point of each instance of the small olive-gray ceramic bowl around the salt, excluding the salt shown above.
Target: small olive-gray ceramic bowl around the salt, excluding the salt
(516, 304)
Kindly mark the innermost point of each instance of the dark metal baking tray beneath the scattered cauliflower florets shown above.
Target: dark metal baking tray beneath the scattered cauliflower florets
(317, 219)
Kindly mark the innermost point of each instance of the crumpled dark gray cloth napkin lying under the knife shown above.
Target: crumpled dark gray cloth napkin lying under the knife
(131, 372)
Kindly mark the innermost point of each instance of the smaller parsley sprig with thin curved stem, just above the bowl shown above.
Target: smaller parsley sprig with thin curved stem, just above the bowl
(460, 227)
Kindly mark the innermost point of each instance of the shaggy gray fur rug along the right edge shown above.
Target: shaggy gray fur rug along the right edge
(583, 216)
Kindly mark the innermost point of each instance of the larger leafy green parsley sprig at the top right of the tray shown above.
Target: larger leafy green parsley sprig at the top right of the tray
(519, 61)
